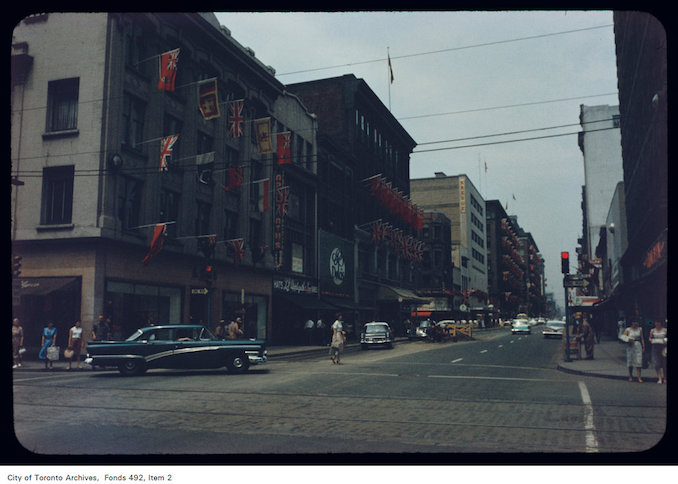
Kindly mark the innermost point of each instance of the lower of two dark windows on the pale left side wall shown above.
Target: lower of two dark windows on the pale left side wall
(57, 195)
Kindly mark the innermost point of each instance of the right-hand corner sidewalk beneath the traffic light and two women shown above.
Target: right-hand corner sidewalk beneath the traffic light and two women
(609, 362)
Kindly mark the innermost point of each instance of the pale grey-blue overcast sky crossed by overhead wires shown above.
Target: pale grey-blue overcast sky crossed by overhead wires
(468, 75)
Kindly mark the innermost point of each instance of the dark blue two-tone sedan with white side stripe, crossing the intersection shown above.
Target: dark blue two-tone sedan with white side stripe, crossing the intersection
(177, 346)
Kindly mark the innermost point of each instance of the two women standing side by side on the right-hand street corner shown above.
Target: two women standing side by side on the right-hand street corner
(636, 348)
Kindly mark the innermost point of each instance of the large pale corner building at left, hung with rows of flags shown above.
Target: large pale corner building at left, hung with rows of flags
(101, 186)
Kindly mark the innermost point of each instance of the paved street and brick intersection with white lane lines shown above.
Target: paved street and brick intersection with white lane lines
(501, 393)
